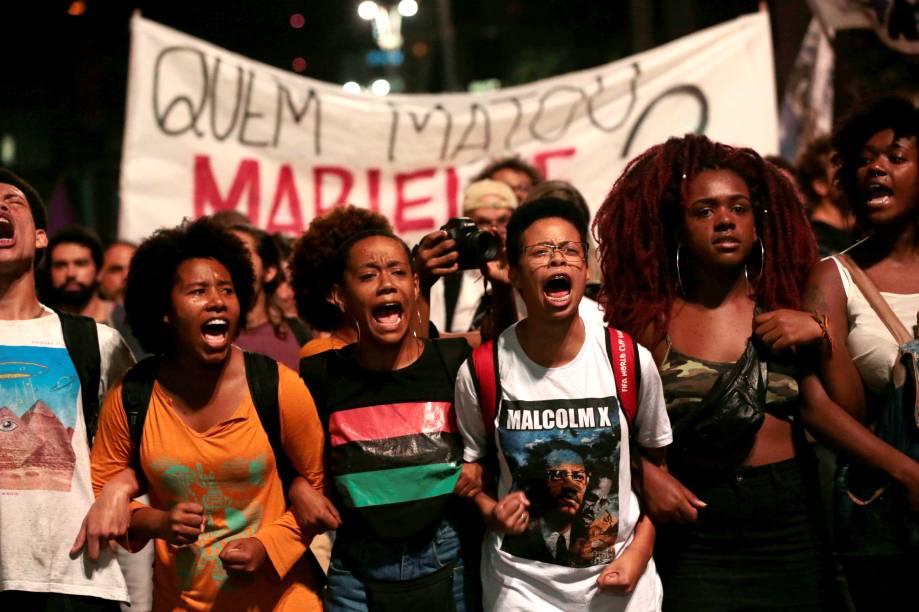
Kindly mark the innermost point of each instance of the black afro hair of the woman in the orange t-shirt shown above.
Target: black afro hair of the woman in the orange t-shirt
(153, 270)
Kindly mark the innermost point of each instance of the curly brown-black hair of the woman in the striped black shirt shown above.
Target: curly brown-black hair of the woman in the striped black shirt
(314, 262)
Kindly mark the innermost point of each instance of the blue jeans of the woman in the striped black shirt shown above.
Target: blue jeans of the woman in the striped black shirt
(355, 559)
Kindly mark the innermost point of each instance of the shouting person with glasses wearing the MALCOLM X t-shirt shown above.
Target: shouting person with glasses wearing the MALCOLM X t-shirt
(565, 530)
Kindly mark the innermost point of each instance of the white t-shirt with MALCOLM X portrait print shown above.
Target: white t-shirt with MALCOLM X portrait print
(563, 424)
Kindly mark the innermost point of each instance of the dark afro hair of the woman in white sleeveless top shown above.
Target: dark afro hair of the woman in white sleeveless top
(854, 130)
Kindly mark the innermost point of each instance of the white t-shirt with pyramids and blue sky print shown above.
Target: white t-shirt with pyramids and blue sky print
(45, 486)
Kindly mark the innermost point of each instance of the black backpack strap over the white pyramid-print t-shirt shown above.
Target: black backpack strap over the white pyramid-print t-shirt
(82, 341)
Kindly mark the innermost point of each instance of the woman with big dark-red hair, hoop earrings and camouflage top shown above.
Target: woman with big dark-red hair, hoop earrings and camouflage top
(704, 250)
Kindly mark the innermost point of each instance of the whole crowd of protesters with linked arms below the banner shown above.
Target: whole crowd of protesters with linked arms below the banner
(701, 397)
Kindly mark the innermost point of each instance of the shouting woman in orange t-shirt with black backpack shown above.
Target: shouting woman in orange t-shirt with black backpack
(217, 512)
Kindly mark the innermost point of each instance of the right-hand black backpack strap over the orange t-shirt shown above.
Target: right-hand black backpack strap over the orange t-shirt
(262, 376)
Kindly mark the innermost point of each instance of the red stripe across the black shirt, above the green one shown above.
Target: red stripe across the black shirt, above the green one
(390, 421)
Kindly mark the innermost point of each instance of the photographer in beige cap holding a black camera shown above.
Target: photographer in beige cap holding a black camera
(456, 304)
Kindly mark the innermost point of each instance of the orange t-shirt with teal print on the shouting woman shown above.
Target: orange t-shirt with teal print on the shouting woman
(230, 470)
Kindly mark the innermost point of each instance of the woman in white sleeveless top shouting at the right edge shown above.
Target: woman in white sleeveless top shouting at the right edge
(878, 145)
